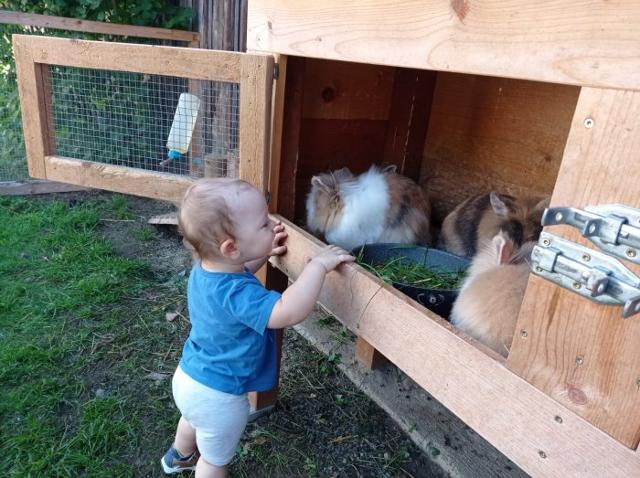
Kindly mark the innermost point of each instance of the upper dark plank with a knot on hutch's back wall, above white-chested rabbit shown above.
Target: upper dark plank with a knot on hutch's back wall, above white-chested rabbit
(341, 90)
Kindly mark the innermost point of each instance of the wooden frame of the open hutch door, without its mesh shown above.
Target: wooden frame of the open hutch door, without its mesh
(34, 55)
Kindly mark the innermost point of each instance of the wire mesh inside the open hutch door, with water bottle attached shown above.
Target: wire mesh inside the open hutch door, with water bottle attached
(151, 122)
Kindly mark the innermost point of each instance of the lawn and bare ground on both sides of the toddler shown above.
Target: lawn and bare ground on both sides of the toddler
(87, 352)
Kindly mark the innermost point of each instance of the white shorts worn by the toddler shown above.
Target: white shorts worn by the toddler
(219, 418)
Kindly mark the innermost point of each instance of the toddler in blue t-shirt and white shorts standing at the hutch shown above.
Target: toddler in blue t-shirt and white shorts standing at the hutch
(231, 348)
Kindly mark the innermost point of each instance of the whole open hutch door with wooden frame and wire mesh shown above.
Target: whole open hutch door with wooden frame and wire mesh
(140, 119)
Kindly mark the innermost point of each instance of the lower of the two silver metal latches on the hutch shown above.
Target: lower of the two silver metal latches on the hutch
(589, 273)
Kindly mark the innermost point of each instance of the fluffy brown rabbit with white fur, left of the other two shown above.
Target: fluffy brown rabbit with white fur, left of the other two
(376, 206)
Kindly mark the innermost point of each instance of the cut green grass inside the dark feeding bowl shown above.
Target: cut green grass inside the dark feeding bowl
(401, 271)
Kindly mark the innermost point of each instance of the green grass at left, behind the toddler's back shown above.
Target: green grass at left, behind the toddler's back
(76, 318)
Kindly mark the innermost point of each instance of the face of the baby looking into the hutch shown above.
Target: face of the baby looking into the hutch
(253, 229)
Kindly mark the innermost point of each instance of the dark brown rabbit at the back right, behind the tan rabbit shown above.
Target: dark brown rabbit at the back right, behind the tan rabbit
(478, 219)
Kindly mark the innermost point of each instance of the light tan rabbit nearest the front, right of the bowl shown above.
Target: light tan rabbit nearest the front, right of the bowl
(491, 294)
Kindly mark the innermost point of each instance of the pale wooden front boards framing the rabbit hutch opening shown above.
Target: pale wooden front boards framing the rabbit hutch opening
(537, 422)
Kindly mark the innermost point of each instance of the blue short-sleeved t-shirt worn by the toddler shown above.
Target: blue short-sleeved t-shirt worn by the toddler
(230, 348)
